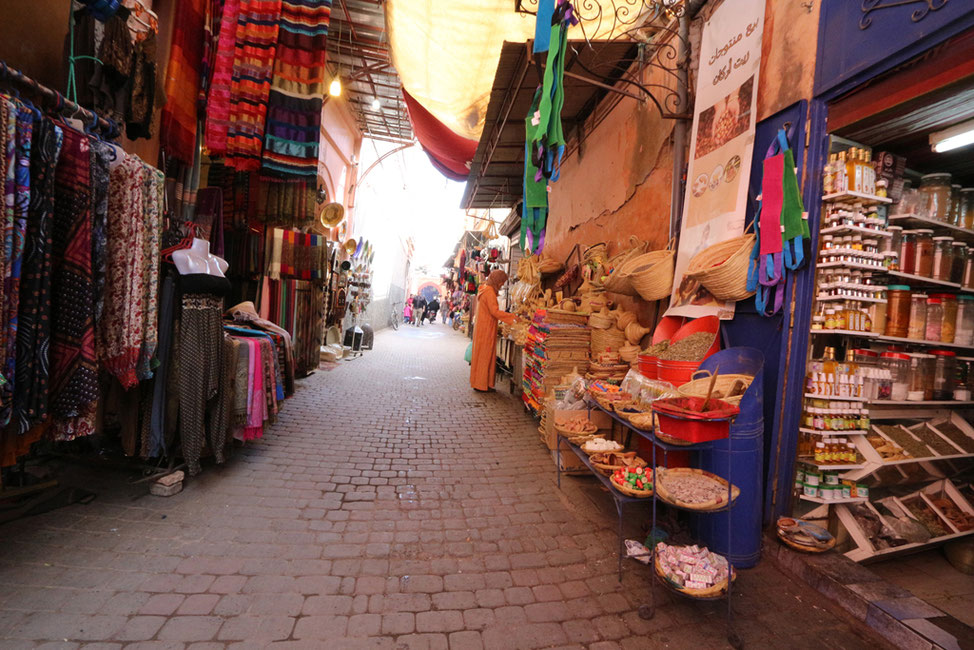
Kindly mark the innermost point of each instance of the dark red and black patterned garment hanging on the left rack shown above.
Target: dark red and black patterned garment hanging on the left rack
(74, 368)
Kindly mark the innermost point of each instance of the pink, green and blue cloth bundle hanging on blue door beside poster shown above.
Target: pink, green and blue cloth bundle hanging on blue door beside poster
(781, 227)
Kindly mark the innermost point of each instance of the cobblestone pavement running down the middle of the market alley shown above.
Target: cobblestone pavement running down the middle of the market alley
(390, 507)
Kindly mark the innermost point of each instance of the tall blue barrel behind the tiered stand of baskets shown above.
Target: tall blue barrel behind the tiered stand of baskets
(745, 450)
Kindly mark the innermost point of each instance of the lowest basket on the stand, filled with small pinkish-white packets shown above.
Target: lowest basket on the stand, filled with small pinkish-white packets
(693, 571)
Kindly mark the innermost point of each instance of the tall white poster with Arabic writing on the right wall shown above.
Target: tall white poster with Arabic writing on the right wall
(721, 146)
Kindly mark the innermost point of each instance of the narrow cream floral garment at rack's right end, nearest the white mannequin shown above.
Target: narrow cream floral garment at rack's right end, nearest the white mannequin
(152, 216)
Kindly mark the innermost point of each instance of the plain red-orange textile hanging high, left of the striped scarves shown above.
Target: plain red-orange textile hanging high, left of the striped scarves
(179, 119)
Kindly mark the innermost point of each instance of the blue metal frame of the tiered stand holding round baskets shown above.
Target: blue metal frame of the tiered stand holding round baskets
(648, 611)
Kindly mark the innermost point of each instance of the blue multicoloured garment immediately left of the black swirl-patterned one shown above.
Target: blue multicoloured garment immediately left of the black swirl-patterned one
(25, 128)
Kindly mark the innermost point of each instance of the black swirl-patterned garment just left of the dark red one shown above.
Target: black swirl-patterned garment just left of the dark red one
(34, 332)
